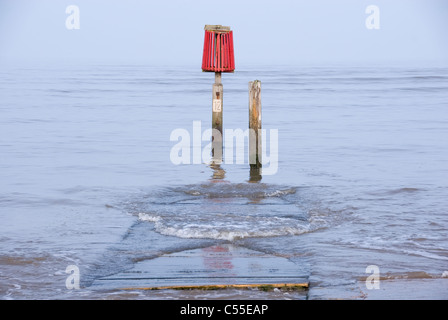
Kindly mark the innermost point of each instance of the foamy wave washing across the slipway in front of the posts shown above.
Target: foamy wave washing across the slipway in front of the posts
(232, 211)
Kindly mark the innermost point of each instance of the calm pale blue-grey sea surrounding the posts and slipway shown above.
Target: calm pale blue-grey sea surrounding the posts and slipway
(86, 177)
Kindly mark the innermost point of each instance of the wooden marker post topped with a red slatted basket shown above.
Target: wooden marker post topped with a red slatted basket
(218, 57)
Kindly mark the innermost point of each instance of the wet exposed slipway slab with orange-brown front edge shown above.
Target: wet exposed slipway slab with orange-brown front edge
(216, 267)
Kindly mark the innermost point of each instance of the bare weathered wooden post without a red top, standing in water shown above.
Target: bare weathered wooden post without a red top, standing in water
(255, 143)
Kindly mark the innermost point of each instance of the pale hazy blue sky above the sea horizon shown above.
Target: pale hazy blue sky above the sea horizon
(265, 32)
